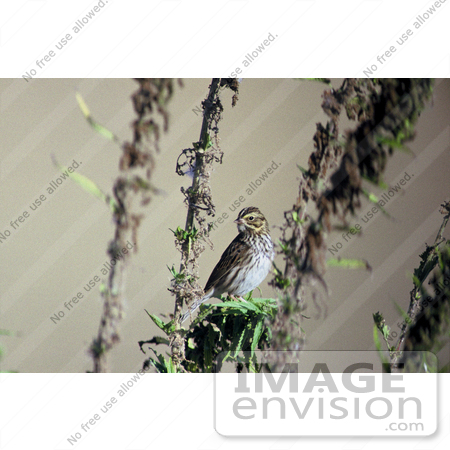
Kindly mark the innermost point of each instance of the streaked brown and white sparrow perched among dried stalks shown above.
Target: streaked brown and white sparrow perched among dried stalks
(245, 263)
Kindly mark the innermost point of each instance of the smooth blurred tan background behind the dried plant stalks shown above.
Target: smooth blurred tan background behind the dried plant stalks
(53, 253)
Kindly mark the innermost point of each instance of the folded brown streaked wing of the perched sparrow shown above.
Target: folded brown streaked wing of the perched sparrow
(233, 257)
